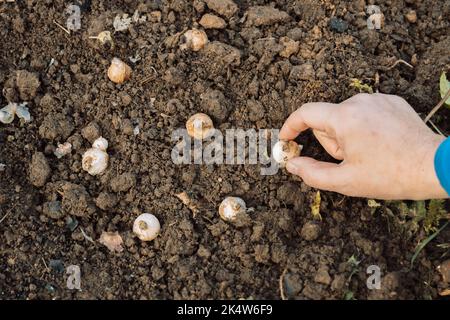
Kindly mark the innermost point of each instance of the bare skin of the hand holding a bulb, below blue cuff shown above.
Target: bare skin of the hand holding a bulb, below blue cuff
(386, 150)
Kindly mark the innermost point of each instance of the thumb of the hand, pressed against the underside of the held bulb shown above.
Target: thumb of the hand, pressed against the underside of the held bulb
(321, 175)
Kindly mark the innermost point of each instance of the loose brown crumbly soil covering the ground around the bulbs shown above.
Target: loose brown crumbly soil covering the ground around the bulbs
(254, 72)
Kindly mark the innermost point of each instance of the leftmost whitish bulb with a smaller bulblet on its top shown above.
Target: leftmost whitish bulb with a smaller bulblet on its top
(95, 159)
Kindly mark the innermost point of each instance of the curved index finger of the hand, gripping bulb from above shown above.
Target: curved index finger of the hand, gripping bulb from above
(311, 115)
